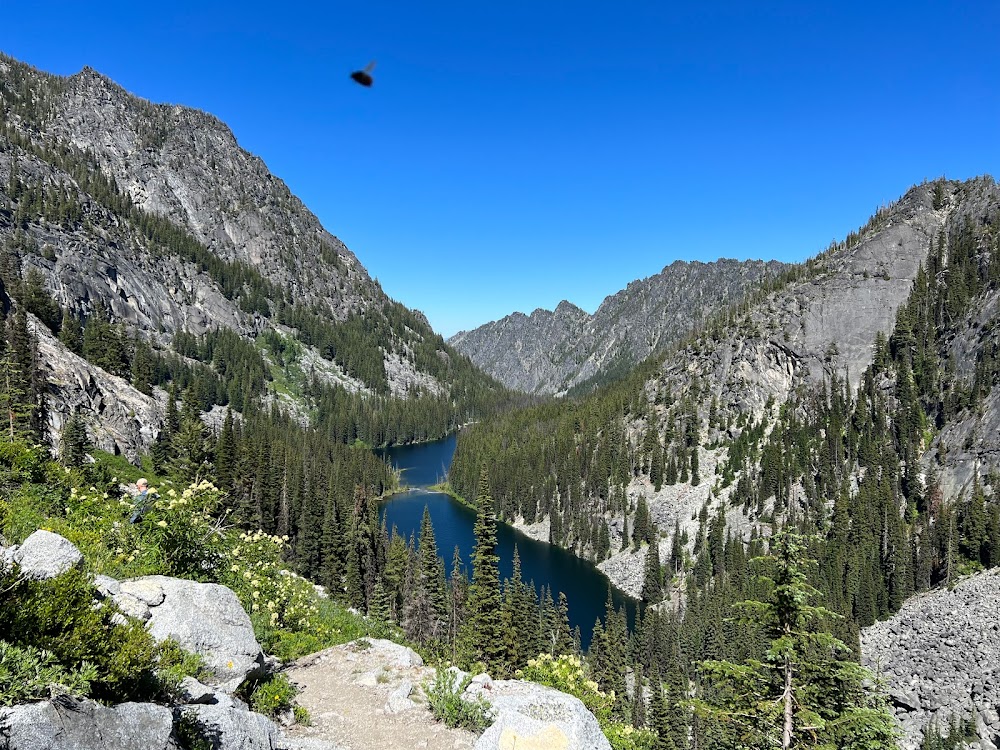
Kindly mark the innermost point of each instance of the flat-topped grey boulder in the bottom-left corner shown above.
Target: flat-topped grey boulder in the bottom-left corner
(66, 723)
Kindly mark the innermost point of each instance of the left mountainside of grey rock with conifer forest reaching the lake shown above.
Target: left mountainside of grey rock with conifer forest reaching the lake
(163, 295)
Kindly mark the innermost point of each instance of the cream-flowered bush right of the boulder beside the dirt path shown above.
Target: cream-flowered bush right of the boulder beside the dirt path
(570, 675)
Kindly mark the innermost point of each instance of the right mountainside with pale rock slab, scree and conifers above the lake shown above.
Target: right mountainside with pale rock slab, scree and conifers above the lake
(773, 417)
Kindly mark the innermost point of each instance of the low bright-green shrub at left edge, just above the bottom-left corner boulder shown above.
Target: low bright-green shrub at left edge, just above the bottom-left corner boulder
(26, 674)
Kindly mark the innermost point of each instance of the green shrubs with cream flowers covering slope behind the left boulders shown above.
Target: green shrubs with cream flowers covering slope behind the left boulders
(183, 533)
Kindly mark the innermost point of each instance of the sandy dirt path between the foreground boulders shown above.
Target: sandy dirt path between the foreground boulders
(370, 698)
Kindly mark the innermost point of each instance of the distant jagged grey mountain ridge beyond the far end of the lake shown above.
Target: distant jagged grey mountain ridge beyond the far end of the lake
(553, 352)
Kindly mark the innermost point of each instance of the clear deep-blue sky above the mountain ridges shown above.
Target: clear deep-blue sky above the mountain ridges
(514, 154)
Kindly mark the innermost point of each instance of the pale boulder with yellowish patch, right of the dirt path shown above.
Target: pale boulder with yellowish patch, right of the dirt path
(533, 717)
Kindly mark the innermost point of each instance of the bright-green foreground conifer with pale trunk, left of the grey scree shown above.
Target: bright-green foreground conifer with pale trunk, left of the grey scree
(807, 691)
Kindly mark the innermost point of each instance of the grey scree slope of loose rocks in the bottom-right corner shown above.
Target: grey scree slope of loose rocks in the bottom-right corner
(940, 657)
